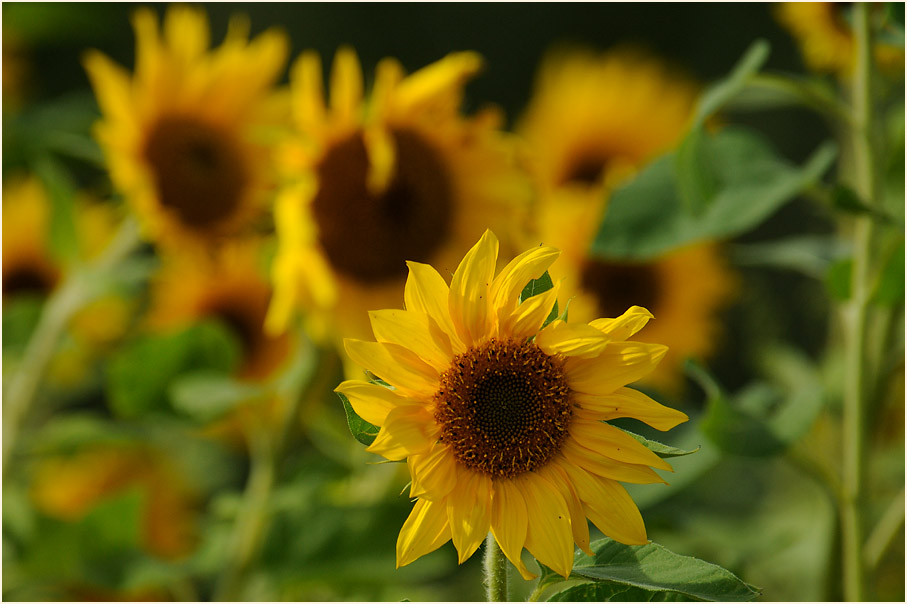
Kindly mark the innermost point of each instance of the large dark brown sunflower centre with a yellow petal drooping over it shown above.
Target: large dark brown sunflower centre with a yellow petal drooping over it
(370, 237)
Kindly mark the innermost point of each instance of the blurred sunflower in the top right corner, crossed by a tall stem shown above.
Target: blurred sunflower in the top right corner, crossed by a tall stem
(826, 38)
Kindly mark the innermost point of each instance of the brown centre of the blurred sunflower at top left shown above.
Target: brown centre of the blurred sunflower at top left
(199, 172)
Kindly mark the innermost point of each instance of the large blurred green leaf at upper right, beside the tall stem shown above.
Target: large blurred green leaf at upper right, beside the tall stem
(646, 218)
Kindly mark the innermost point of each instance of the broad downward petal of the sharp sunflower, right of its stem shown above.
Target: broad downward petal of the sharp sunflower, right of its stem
(550, 537)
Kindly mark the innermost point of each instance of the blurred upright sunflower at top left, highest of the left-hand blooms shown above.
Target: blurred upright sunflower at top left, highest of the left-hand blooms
(186, 137)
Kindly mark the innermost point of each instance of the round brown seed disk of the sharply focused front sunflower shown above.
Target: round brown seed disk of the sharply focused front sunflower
(504, 407)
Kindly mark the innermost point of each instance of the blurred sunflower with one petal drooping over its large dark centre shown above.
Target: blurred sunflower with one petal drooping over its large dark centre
(374, 182)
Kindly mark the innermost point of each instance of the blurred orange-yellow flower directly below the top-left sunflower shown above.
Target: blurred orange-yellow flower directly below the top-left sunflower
(228, 286)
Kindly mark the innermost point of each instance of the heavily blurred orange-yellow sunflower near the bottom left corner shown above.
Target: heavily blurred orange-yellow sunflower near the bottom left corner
(69, 486)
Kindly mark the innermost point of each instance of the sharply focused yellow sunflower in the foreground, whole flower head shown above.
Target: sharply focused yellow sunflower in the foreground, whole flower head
(501, 420)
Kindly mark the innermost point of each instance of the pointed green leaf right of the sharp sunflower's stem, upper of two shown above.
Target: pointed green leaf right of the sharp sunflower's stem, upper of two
(654, 568)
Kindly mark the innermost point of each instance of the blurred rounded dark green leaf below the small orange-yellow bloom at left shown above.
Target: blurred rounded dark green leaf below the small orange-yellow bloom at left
(140, 374)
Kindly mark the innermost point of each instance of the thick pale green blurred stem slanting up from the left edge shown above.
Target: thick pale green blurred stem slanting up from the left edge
(76, 290)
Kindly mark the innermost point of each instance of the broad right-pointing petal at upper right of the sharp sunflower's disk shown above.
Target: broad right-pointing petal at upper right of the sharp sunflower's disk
(621, 363)
